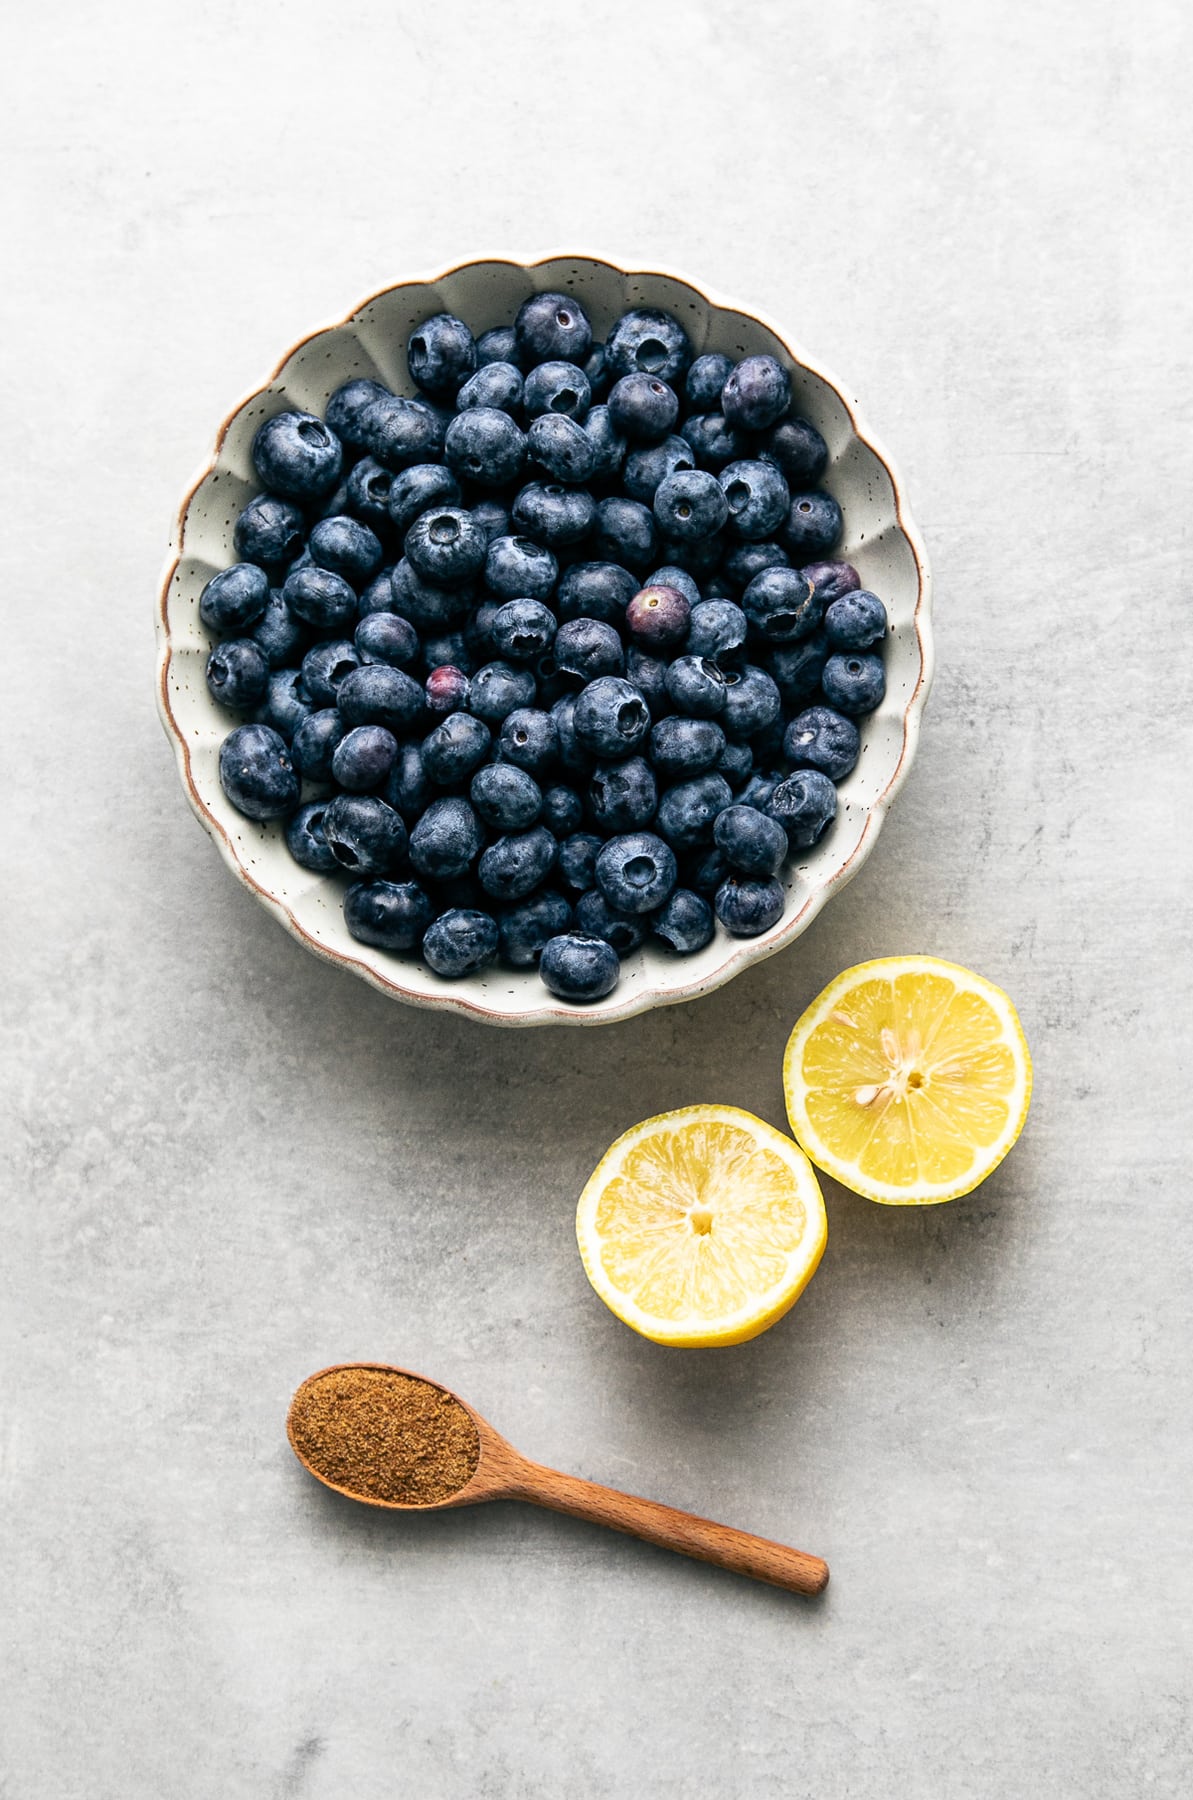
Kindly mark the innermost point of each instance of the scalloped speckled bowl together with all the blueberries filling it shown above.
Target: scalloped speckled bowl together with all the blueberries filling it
(544, 642)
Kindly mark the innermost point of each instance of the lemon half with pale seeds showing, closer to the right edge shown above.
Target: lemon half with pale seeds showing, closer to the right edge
(908, 1079)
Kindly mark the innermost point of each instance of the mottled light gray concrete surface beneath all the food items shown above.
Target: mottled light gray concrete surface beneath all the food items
(228, 1165)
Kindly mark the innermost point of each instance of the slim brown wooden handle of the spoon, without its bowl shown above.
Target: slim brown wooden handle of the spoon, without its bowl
(674, 1531)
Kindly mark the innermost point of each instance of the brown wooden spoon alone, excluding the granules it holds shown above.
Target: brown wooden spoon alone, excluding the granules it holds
(503, 1473)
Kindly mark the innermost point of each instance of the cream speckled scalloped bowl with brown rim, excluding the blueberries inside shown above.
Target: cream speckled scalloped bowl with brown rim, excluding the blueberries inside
(879, 539)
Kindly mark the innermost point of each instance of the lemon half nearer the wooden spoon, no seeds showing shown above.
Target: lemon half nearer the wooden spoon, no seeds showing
(701, 1227)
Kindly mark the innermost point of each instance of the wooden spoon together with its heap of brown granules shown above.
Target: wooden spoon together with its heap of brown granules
(393, 1439)
